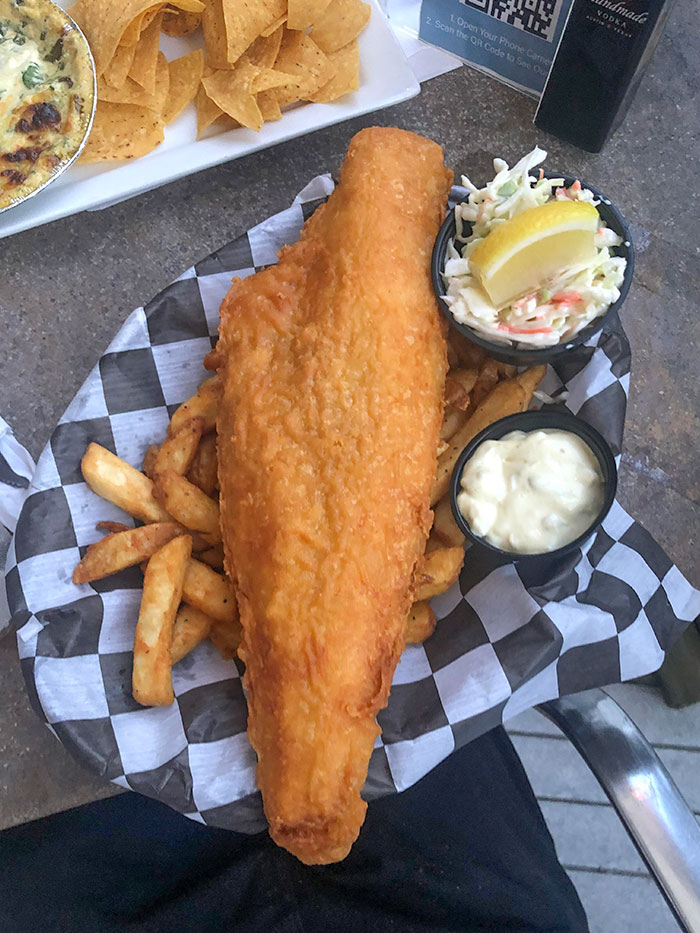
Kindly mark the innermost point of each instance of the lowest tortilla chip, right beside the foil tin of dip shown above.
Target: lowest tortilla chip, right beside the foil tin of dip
(122, 131)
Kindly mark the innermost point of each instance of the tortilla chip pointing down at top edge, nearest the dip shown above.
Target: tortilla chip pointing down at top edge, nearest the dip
(104, 22)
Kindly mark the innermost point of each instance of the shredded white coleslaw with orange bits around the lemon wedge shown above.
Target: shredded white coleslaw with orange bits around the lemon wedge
(566, 303)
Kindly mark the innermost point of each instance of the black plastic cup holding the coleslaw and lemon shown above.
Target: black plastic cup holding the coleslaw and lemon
(526, 356)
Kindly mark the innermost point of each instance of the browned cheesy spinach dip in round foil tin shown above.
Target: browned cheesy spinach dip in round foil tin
(46, 95)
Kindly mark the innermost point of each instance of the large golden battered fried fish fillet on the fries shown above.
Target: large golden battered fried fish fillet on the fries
(333, 365)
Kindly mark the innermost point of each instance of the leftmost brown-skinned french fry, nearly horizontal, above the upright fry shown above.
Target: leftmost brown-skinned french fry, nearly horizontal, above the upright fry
(124, 549)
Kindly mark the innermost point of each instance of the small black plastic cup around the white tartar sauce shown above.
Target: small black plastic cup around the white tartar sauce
(535, 421)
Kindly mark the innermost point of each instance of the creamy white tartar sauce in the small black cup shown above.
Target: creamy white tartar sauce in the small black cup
(532, 492)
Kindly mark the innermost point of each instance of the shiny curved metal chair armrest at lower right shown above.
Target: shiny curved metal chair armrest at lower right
(650, 806)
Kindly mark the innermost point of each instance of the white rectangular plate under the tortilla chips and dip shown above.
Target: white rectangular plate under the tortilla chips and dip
(386, 78)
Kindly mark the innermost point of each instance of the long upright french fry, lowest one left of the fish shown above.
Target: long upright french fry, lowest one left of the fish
(151, 682)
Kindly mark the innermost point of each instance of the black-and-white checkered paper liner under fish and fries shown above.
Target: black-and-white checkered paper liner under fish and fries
(503, 643)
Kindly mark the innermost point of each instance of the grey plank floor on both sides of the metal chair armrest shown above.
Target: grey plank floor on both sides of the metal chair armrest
(591, 843)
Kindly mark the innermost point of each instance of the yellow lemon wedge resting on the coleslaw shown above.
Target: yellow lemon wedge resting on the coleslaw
(518, 256)
